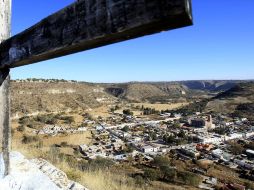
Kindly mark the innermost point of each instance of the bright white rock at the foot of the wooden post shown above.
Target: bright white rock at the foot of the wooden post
(36, 174)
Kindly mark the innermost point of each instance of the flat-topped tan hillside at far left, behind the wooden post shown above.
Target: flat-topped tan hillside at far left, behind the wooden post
(30, 97)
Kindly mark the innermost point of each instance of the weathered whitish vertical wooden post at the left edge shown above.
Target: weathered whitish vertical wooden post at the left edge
(5, 129)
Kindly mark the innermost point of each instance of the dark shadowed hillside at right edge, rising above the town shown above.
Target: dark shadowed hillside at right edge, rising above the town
(238, 101)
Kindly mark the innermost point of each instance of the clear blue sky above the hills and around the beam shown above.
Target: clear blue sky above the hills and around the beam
(220, 45)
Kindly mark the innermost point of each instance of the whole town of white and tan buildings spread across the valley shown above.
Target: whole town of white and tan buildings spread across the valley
(200, 137)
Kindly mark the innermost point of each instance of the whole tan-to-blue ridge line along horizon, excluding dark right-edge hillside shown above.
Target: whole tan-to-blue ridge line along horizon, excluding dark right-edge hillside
(34, 95)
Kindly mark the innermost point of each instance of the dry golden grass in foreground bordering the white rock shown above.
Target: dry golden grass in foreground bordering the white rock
(93, 180)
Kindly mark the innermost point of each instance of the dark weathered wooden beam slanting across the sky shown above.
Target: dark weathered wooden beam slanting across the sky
(88, 24)
